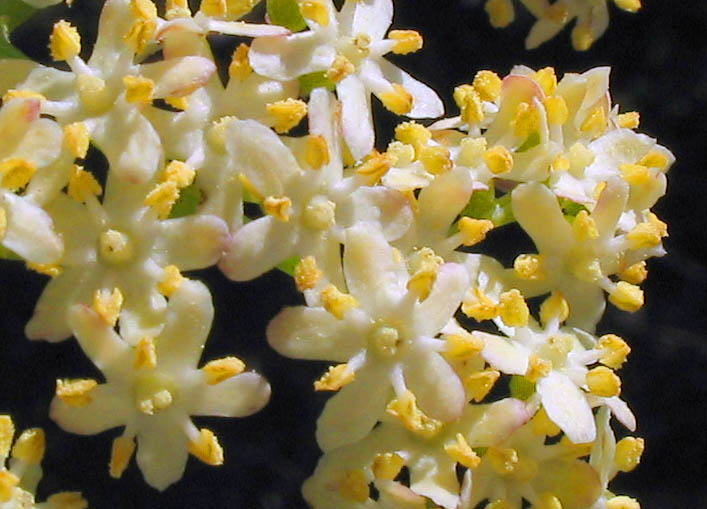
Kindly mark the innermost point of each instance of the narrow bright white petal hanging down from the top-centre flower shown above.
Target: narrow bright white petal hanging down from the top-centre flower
(356, 122)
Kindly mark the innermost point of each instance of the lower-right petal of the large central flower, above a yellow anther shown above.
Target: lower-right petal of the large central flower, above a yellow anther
(439, 392)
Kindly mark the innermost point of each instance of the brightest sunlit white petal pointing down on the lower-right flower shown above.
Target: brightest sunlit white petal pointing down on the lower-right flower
(566, 405)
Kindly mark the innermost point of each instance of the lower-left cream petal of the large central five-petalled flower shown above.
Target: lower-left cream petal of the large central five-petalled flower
(353, 411)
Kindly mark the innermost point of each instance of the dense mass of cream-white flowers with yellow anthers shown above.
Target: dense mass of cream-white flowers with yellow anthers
(278, 168)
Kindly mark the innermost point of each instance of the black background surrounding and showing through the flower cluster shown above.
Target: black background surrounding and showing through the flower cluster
(659, 60)
